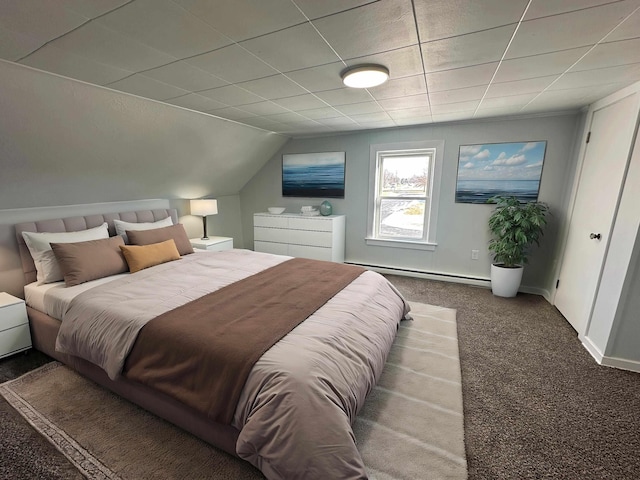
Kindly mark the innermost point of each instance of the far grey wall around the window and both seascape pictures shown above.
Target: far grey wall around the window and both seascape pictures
(461, 227)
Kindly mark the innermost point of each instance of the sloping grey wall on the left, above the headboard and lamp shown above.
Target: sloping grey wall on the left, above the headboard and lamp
(65, 142)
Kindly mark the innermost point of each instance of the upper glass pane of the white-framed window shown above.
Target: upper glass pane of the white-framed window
(404, 175)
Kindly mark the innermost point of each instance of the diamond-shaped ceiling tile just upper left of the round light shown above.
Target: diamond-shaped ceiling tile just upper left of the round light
(292, 49)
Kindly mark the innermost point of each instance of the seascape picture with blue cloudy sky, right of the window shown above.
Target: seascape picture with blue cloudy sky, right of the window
(506, 169)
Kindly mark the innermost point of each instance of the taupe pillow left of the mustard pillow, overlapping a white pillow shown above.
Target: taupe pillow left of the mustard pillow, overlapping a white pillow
(81, 262)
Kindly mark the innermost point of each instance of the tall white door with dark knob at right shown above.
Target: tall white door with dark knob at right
(603, 169)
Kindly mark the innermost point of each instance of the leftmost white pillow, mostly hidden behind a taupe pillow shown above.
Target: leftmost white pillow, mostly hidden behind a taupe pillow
(39, 246)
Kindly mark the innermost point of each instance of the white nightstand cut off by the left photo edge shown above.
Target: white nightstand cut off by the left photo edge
(14, 325)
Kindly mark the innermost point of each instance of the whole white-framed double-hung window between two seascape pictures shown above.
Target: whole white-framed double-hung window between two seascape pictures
(404, 188)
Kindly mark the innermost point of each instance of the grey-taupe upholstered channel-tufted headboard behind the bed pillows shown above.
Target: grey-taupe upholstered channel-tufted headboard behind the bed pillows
(74, 224)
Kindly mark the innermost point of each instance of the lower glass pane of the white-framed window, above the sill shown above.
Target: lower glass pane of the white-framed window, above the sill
(402, 218)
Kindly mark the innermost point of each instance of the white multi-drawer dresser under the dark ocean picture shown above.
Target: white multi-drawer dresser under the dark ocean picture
(319, 238)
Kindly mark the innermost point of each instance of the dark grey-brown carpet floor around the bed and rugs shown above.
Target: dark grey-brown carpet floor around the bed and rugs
(536, 404)
